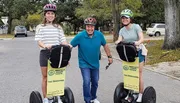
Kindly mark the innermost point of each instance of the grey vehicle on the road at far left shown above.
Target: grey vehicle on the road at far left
(20, 30)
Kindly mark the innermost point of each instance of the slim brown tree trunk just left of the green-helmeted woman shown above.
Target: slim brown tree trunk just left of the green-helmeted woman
(116, 19)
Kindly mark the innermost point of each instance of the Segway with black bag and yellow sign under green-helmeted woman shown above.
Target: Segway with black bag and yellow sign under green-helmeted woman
(130, 87)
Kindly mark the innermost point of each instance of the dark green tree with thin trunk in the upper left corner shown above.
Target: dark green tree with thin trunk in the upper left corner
(14, 9)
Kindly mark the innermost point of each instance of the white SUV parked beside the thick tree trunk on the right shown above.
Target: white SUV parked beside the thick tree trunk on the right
(156, 29)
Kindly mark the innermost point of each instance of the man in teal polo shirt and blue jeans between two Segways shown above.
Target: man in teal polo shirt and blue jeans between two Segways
(89, 42)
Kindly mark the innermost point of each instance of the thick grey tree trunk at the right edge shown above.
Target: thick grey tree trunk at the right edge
(172, 21)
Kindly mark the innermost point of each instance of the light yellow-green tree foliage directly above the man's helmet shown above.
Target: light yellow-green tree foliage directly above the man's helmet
(100, 8)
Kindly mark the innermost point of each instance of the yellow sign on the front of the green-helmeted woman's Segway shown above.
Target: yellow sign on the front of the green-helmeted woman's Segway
(131, 75)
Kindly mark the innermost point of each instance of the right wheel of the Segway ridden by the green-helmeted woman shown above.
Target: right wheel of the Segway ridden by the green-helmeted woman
(149, 95)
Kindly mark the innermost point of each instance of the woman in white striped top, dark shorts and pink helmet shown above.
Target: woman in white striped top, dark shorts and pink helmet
(48, 34)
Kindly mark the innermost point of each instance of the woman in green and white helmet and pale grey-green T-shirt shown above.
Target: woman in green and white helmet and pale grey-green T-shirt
(131, 32)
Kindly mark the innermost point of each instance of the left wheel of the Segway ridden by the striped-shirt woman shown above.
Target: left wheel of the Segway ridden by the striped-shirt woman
(35, 97)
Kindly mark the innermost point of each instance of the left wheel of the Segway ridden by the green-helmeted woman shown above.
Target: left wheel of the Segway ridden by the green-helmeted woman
(120, 93)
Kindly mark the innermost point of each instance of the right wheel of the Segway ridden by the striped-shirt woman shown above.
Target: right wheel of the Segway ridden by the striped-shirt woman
(68, 96)
